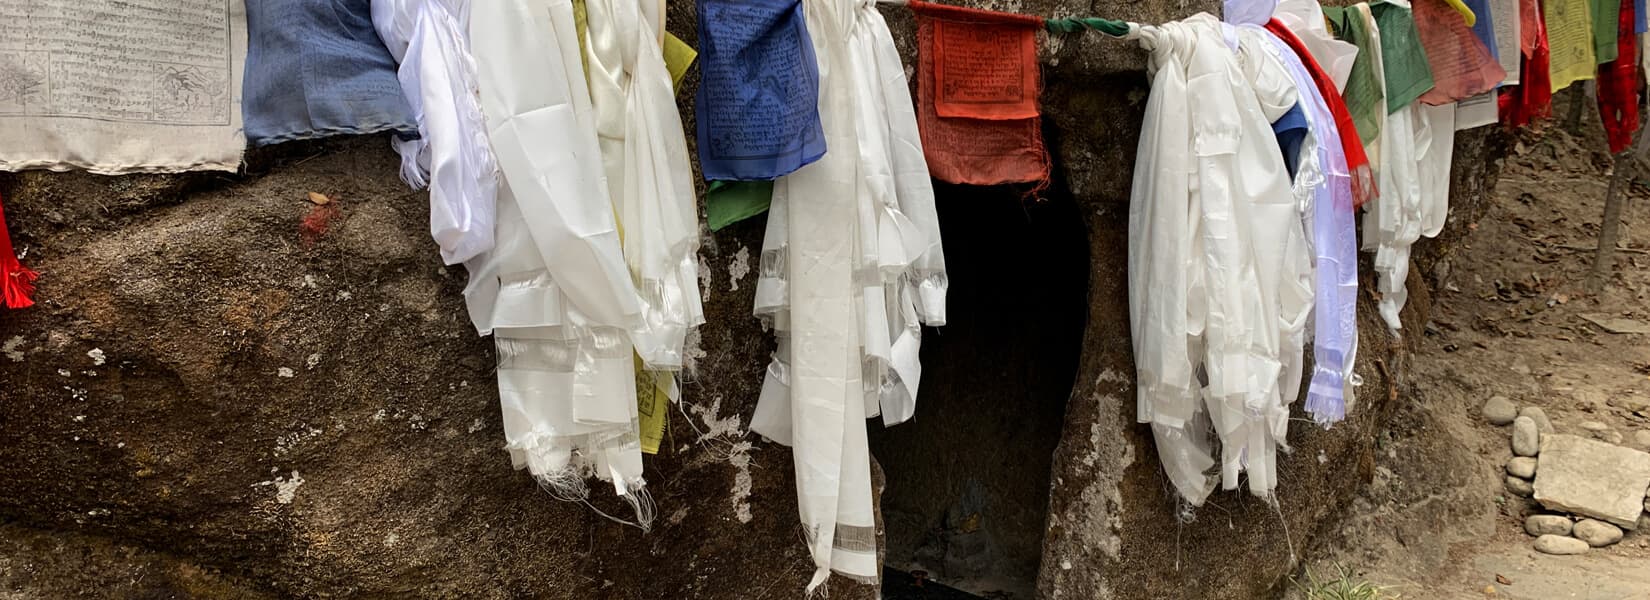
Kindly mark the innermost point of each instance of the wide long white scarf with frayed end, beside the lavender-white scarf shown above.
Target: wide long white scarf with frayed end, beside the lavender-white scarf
(562, 301)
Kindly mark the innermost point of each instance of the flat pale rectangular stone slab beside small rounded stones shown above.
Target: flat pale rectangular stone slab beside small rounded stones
(1593, 479)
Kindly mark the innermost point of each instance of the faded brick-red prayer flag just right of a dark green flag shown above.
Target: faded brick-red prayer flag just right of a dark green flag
(1463, 67)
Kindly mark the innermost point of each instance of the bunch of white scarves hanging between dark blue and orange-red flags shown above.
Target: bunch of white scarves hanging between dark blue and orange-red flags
(851, 268)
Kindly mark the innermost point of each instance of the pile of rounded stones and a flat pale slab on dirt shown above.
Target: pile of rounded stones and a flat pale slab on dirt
(1593, 492)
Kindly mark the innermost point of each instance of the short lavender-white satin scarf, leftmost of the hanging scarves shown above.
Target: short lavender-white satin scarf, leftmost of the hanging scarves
(438, 75)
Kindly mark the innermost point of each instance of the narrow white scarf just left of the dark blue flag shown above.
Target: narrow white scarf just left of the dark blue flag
(646, 161)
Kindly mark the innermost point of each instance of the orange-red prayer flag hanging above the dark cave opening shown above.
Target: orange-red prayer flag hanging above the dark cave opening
(978, 85)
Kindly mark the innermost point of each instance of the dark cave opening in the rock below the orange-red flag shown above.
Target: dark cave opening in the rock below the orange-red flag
(969, 476)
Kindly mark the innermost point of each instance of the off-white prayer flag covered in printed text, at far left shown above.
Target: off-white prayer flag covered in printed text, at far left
(123, 87)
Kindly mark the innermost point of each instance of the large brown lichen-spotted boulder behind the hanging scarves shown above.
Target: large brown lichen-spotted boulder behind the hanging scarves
(230, 393)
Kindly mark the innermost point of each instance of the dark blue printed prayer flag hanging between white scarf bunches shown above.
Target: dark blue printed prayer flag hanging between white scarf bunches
(758, 101)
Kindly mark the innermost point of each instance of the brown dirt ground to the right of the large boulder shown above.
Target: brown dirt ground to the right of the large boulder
(1436, 520)
